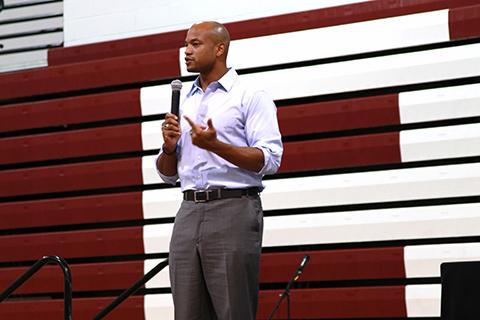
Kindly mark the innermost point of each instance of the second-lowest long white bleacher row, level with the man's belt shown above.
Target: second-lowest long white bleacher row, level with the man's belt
(345, 189)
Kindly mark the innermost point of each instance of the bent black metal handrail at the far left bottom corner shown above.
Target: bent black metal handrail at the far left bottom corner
(67, 279)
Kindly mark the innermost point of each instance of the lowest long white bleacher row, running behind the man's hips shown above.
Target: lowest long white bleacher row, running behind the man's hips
(351, 227)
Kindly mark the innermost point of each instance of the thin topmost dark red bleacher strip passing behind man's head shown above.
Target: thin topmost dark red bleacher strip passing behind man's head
(319, 18)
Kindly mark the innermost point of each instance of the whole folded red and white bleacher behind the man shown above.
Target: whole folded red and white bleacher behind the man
(379, 184)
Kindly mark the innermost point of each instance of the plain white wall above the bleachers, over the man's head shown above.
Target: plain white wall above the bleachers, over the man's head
(89, 21)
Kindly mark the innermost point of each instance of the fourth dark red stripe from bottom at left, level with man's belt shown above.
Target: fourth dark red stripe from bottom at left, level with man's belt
(73, 210)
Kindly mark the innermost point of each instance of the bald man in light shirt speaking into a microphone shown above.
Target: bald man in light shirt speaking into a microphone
(222, 144)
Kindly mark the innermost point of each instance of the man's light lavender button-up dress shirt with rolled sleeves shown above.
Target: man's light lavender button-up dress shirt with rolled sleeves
(243, 117)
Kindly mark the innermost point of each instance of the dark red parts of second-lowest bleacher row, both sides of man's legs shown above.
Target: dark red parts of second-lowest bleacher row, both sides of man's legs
(329, 265)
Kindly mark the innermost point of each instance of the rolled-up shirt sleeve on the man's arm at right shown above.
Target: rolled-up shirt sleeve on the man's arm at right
(262, 131)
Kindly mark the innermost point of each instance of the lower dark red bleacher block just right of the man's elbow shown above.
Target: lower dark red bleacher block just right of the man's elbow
(341, 152)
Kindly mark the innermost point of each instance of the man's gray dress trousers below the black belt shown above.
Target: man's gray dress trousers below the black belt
(214, 259)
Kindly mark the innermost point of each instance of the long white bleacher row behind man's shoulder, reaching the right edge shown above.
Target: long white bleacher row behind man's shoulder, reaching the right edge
(347, 76)
